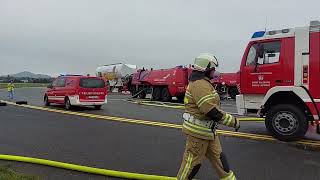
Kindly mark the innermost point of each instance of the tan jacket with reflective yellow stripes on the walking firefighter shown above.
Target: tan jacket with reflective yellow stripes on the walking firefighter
(202, 108)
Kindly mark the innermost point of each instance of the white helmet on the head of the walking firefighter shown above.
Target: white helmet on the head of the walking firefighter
(205, 62)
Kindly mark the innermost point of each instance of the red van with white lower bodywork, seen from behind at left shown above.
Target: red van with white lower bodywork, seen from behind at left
(77, 90)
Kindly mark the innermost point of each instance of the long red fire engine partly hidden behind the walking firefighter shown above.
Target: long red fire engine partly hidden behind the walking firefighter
(163, 84)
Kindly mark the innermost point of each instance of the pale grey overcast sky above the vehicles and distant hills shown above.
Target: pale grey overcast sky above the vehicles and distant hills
(76, 36)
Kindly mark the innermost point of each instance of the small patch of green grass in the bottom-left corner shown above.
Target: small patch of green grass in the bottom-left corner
(7, 173)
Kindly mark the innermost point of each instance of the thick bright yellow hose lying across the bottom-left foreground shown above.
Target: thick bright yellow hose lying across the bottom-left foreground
(85, 169)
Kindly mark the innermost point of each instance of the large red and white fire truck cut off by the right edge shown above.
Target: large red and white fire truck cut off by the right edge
(280, 78)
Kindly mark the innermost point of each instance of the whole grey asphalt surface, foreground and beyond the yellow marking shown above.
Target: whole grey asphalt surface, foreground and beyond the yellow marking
(132, 147)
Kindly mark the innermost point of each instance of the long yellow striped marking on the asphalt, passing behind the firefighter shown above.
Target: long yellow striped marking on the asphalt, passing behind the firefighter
(166, 125)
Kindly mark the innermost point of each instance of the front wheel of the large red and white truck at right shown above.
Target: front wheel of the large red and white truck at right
(286, 122)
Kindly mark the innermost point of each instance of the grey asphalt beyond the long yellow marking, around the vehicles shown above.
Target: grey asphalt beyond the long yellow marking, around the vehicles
(119, 107)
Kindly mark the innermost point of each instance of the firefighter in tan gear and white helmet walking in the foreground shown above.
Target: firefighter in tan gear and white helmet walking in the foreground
(201, 118)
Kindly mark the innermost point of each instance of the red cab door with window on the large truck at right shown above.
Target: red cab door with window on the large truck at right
(259, 74)
